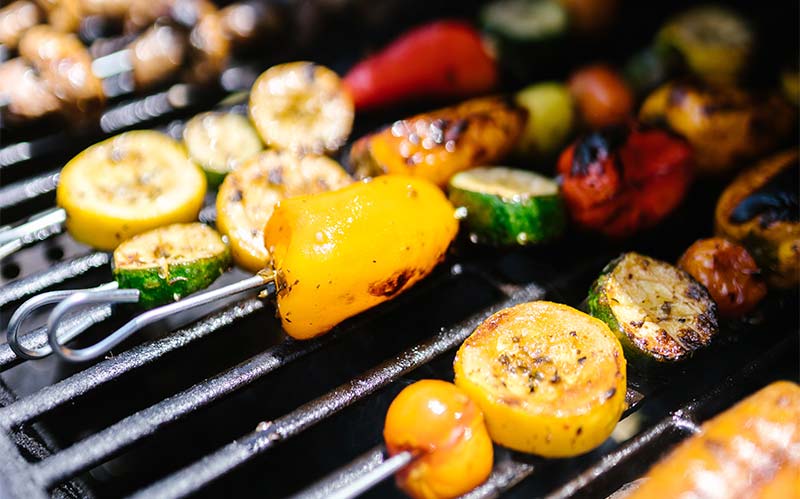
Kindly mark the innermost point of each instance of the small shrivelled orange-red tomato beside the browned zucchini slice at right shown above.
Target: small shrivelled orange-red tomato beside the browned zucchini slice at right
(728, 272)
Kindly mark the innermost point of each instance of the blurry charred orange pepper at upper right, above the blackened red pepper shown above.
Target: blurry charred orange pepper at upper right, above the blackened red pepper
(724, 125)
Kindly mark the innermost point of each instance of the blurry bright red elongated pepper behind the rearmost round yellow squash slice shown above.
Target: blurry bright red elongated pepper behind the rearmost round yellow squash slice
(440, 59)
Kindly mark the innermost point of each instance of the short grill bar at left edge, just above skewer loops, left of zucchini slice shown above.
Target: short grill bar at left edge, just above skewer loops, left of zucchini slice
(56, 274)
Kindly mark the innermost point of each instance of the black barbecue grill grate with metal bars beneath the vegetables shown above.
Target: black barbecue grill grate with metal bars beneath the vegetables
(220, 402)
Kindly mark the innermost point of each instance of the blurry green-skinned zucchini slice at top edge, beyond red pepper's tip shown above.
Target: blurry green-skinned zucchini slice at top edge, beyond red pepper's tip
(525, 21)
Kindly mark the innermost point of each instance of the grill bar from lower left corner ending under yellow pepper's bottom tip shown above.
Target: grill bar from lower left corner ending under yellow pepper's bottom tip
(93, 450)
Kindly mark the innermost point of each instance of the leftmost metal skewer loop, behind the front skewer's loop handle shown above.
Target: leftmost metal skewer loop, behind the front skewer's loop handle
(74, 327)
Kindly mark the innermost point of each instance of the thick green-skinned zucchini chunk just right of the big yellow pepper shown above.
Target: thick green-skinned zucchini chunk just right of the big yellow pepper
(508, 207)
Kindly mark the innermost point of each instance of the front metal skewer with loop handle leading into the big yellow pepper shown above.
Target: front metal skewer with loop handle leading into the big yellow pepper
(256, 283)
